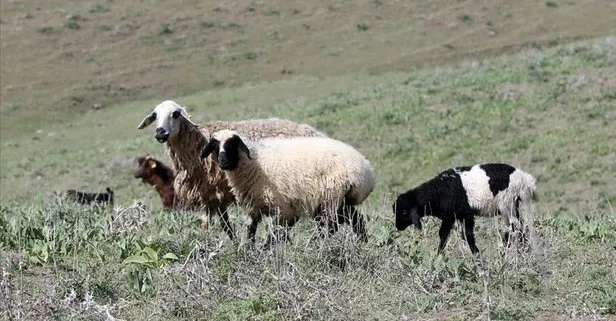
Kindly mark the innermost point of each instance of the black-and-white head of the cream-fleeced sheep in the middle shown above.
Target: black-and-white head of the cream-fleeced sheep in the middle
(226, 145)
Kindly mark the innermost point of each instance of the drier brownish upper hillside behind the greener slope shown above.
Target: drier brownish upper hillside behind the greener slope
(65, 55)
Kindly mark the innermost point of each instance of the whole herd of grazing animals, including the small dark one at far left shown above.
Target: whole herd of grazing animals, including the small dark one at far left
(287, 170)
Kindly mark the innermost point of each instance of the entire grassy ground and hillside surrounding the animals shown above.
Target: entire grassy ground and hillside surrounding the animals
(69, 116)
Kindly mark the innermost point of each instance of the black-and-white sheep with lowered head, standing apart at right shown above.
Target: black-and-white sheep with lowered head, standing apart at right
(462, 192)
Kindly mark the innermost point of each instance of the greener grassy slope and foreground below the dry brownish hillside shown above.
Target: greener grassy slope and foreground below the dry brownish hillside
(550, 112)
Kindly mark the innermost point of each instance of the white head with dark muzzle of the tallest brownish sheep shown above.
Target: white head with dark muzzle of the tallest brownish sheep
(169, 116)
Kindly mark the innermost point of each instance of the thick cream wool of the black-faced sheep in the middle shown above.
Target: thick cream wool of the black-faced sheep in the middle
(299, 174)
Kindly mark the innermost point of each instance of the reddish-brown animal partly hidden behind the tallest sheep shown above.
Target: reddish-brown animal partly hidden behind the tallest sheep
(154, 172)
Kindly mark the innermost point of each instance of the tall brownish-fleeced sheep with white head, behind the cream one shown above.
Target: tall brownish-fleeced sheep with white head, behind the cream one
(198, 184)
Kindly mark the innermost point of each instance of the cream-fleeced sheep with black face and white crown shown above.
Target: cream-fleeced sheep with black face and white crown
(291, 177)
